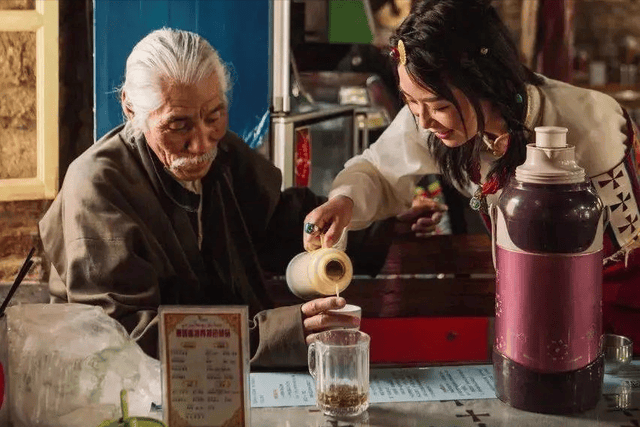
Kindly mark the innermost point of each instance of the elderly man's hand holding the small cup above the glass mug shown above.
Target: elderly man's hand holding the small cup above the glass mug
(316, 318)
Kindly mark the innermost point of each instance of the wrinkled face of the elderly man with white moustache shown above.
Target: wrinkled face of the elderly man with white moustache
(184, 132)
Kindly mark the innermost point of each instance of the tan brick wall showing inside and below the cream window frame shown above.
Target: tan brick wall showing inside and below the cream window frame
(18, 229)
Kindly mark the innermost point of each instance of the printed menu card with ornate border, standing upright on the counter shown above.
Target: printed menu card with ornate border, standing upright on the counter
(205, 365)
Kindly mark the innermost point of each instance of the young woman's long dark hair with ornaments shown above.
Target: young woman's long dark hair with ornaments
(464, 43)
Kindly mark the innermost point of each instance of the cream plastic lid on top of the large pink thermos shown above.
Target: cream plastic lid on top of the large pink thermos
(550, 160)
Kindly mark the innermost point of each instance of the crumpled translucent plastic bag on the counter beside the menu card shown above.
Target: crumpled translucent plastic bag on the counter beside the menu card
(68, 364)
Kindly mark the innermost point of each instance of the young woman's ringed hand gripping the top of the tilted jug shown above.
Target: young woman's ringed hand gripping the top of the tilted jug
(330, 219)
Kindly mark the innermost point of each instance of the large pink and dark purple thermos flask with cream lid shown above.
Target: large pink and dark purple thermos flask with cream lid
(548, 252)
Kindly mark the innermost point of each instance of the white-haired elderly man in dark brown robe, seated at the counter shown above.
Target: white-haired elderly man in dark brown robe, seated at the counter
(173, 208)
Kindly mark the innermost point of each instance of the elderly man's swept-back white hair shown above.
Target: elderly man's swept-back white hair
(167, 54)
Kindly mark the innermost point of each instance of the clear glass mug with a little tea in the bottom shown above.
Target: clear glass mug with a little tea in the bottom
(339, 363)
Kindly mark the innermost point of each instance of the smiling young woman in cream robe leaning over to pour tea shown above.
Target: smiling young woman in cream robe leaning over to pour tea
(471, 108)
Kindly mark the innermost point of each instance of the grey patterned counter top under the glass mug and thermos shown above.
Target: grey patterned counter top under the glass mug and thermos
(618, 407)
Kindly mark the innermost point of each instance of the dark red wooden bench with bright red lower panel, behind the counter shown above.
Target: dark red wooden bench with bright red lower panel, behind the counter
(433, 300)
